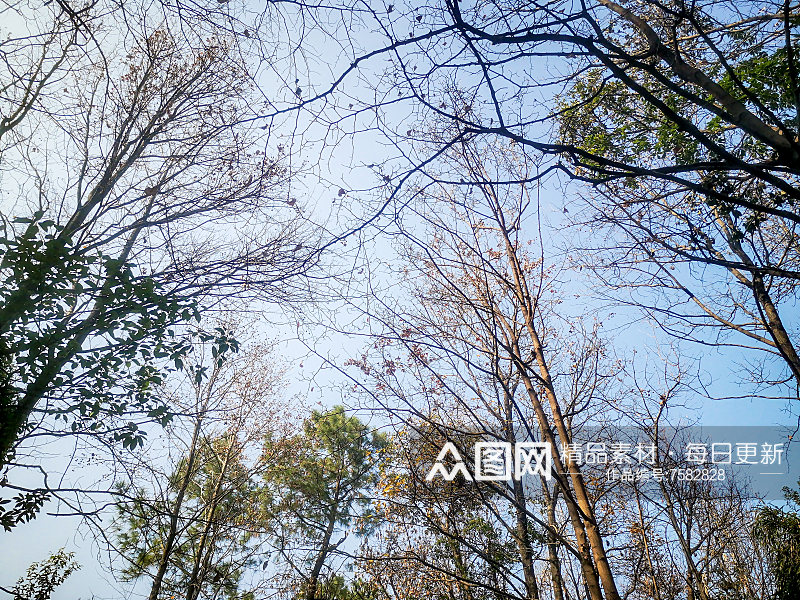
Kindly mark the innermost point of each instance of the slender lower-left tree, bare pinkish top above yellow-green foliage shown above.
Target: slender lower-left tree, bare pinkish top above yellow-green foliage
(194, 522)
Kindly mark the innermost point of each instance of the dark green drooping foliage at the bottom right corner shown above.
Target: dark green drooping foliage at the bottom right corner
(778, 532)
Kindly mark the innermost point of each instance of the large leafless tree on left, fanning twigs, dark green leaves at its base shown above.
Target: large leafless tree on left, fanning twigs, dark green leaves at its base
(142, 189)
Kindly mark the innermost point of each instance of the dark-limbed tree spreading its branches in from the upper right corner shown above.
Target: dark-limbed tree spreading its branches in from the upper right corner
(681, 116)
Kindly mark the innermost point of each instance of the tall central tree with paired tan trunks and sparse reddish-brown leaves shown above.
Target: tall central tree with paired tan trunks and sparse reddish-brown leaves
(482, 354)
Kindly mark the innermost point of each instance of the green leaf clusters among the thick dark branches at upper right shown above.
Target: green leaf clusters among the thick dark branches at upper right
(609, 120)
